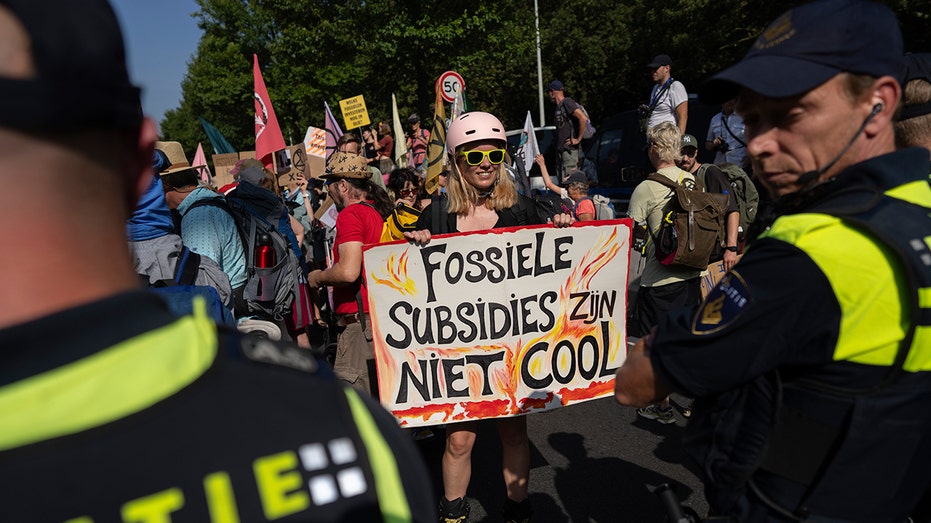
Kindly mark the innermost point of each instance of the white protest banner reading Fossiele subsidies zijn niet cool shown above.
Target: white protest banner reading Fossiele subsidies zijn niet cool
(498, 323)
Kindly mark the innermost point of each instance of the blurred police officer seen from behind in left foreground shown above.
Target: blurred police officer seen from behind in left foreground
(112, 408)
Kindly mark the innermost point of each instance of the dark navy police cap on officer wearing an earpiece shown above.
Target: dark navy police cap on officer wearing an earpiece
(810, 44)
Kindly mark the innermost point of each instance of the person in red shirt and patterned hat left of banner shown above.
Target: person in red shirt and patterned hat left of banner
(363, 207)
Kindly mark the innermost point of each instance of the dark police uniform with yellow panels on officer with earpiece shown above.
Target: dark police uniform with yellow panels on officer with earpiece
(809, 407)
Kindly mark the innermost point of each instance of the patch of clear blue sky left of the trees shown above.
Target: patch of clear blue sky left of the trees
(161, 37)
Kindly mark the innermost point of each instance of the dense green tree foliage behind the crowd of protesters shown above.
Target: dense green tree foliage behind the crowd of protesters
(312, 52)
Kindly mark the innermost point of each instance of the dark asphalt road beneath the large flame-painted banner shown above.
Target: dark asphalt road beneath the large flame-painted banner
(594, 461)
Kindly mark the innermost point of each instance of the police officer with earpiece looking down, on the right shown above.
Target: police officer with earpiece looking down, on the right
(810, 359)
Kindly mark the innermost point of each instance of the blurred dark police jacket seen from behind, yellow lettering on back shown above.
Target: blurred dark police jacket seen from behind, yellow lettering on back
(117, 411)
